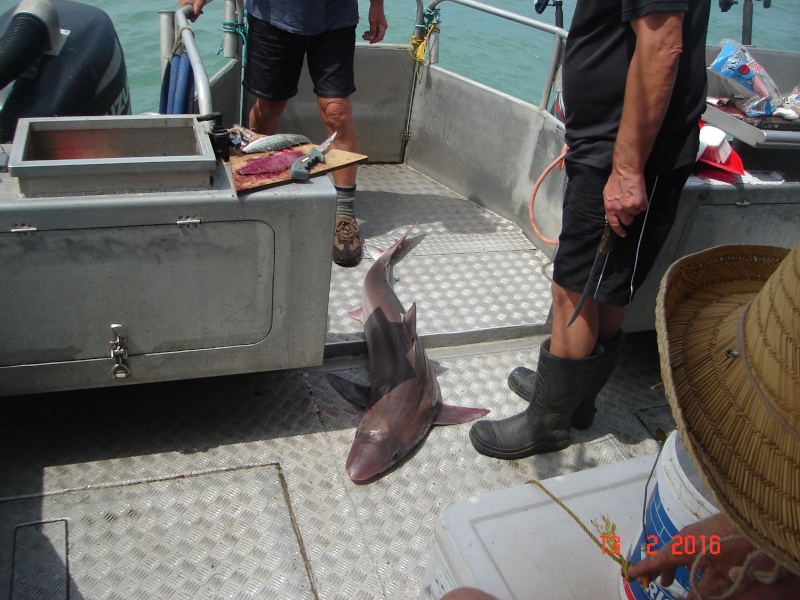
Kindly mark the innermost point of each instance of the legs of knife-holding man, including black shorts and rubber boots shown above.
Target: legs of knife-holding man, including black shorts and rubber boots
(576, 362)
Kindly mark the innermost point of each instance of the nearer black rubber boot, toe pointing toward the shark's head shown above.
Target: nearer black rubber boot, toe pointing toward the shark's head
(544, 426)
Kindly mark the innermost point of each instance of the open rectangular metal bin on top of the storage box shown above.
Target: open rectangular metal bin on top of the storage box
(110, 153)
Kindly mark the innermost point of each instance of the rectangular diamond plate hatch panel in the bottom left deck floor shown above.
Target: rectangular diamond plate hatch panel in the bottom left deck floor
(180, 537)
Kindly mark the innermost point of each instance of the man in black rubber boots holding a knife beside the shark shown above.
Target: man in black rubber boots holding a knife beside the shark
(634, 82)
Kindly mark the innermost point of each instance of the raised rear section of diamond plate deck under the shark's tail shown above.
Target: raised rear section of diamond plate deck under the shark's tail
(473, 272)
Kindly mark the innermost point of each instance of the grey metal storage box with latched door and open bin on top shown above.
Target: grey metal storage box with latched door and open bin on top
(117, 285)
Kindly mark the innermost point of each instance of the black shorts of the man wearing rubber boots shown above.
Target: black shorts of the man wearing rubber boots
(582, 224)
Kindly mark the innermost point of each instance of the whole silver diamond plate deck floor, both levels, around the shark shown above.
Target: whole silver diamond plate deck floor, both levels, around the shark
(234, 487)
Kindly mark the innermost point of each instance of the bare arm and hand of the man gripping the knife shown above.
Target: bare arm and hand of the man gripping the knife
(651, 76)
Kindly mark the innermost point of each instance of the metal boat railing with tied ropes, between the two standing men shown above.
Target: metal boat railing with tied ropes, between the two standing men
(422, 29)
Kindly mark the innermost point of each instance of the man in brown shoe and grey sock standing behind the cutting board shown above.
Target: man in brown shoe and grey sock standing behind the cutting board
(280, 34)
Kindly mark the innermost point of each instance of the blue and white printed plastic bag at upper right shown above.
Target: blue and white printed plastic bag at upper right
(757, 93)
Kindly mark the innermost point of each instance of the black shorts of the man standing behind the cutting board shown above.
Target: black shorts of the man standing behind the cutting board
(275, 61)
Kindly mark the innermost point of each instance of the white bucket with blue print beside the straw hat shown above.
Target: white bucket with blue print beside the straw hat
(679, 498)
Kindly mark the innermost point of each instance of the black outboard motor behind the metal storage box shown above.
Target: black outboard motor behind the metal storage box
(59, 58)
